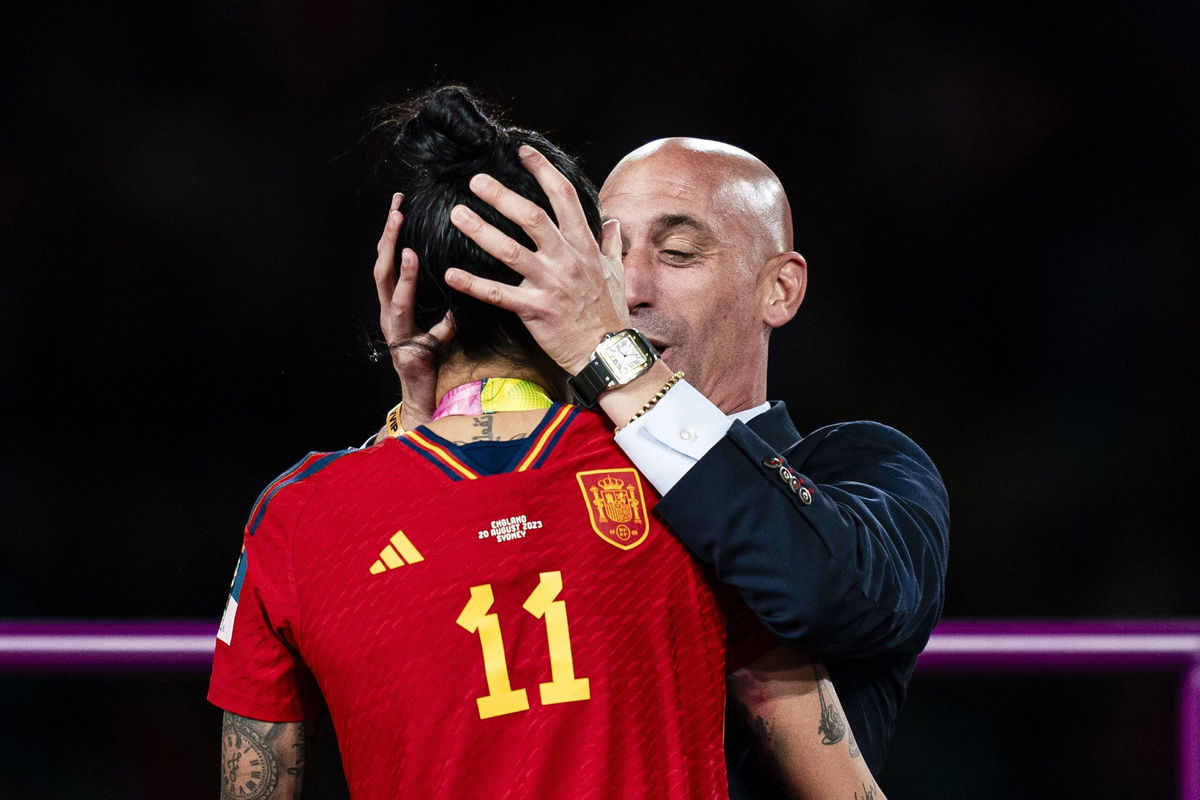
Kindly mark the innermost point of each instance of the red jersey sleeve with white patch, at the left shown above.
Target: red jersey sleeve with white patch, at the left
(257, 672)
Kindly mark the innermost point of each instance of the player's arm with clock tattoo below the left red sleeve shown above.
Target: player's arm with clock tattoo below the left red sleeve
(262, 761)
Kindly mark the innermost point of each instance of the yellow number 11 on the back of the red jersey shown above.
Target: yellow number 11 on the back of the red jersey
(543, 604)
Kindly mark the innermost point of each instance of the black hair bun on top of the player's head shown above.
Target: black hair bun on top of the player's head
(447, 134)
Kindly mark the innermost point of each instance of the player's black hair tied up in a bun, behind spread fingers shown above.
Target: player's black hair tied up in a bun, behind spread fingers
(434, 148)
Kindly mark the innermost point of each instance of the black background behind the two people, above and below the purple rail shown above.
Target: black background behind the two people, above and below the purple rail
(999, 207)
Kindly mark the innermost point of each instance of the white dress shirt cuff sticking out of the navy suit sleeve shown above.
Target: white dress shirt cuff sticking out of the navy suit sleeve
(665, 442)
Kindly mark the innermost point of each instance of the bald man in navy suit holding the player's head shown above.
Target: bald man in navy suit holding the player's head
(836, 540)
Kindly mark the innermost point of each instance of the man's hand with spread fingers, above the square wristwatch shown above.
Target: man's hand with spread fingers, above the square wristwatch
(574, 291)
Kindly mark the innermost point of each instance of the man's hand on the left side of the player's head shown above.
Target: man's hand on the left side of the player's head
(415, 353)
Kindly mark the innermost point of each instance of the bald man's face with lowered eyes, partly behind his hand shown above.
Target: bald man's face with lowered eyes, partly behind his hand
(693, 260)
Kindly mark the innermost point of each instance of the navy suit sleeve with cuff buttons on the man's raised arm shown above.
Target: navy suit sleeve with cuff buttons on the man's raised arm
(857, 570)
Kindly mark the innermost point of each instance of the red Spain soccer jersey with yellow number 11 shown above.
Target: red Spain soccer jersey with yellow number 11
(523, 631)
